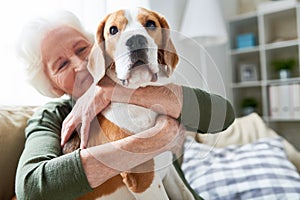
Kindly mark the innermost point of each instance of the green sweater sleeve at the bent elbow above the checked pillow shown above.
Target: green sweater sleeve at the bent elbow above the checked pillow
(203, 112)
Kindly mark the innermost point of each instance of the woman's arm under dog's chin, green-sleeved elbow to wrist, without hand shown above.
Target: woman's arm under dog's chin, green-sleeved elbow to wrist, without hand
(196, 109)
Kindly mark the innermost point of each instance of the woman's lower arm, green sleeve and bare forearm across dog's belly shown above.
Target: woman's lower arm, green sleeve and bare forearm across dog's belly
(43, 173)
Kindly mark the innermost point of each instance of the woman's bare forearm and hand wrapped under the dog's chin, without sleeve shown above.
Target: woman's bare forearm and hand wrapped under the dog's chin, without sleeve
(165, 100)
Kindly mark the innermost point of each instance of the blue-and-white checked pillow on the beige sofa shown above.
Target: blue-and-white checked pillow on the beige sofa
(259, 170)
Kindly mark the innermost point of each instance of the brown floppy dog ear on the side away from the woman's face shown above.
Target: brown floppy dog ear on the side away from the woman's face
(167, 52)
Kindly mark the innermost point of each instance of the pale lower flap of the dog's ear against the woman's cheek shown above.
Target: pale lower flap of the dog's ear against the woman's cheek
(96, 64)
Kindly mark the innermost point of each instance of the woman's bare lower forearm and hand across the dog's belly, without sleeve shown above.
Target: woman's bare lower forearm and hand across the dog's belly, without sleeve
(122, 155)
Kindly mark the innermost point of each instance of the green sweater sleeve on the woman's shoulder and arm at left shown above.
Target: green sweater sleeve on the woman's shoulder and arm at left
(43, 173)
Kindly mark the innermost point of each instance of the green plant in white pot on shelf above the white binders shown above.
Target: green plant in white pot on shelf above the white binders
(284, 67)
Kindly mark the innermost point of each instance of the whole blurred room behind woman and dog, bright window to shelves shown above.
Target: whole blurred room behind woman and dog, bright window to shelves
(246, 51)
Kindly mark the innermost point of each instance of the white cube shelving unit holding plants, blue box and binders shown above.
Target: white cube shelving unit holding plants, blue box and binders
(277, 37)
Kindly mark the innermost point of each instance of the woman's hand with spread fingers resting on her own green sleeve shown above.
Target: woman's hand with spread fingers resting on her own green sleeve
(92, 102)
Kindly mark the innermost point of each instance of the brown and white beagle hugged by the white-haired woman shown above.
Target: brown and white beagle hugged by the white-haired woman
(137, 51)
